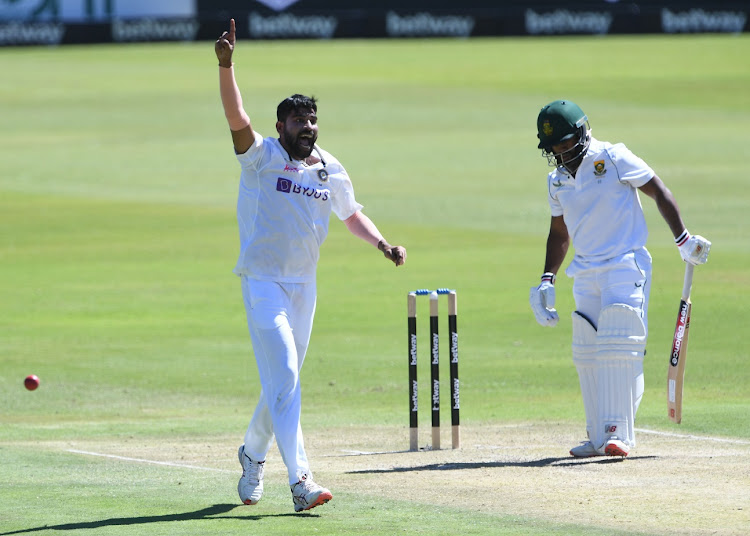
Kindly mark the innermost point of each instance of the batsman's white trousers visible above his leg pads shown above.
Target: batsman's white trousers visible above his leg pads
(625, 279)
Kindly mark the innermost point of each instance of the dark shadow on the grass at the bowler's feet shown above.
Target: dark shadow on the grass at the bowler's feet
(203, 514)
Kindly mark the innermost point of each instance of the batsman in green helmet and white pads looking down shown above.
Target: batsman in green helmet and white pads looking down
(594, 204)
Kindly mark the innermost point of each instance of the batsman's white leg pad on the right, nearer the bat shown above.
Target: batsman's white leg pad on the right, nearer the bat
(621, 342)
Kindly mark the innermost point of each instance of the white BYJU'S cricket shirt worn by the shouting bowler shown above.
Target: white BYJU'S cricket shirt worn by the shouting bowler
(283, 210)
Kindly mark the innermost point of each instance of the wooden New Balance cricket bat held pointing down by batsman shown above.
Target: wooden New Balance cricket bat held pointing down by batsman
(676, 372)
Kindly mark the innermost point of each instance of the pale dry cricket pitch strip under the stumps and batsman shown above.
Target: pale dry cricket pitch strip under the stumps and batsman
(671, 483)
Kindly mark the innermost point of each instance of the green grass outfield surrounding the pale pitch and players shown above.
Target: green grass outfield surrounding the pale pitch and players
(118, 237)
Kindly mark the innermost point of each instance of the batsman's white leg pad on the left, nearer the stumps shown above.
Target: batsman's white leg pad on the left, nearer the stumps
(584, 358)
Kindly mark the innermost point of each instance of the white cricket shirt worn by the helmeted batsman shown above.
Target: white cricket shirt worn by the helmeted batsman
(600, 206)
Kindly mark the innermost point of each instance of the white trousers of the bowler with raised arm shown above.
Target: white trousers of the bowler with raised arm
(279, 318)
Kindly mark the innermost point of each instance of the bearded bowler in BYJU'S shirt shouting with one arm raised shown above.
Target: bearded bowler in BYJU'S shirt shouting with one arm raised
(288, 188)
